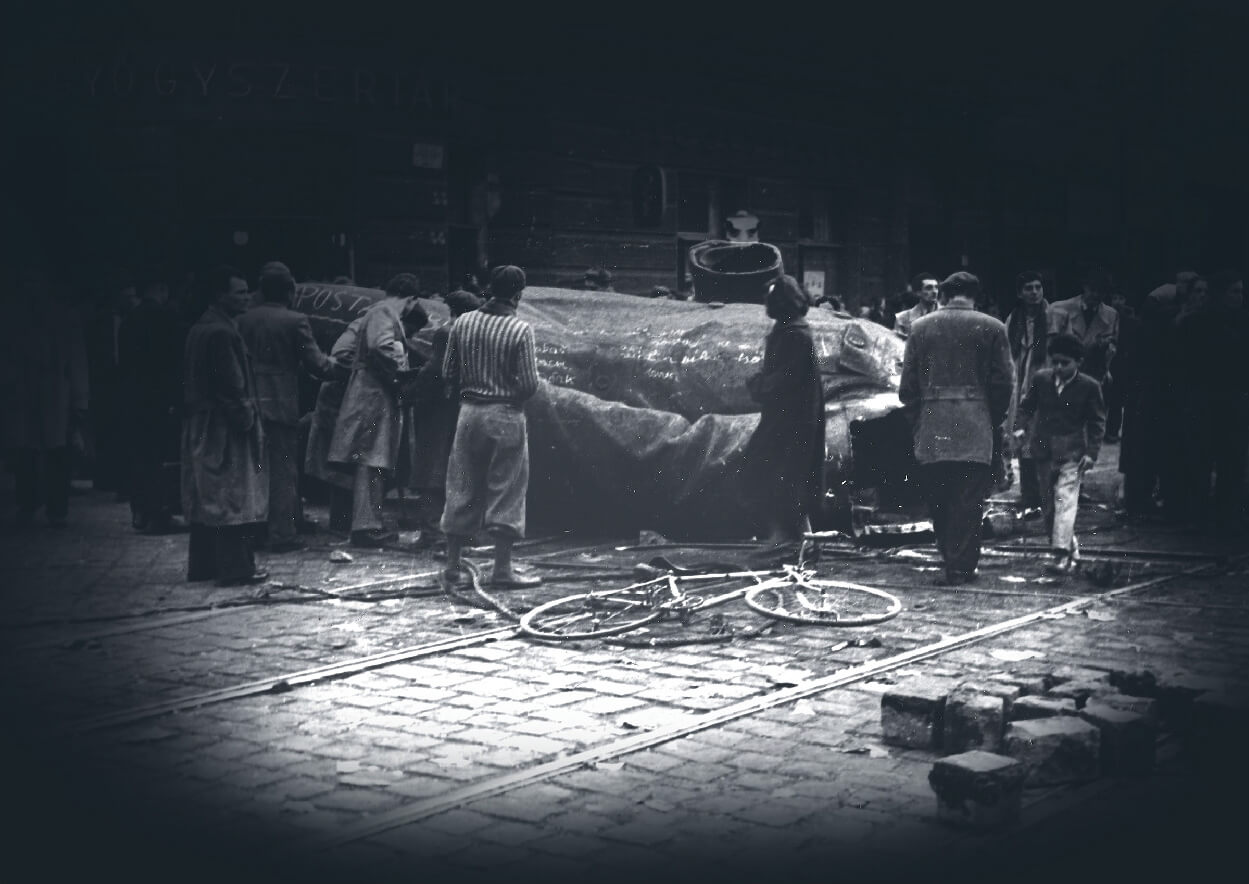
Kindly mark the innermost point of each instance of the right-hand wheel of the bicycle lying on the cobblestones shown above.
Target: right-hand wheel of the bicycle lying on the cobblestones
(832, 604)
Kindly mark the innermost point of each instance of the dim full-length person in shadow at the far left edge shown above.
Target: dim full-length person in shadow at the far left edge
(43, 396)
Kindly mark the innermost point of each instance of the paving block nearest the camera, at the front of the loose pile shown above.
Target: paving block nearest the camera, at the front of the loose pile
(979, 790)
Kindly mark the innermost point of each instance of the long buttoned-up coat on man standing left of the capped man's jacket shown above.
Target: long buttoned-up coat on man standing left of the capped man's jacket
(224, 481)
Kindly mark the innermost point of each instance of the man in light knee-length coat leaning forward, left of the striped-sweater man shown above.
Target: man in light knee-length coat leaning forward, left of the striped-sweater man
(367, 436)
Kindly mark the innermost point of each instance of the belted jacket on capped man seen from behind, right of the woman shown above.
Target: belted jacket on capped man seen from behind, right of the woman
(956, 384)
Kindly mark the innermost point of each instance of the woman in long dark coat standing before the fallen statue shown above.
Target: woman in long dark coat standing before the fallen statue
(786, 454)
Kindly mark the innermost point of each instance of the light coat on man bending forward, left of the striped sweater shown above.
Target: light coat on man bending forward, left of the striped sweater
(370, 421)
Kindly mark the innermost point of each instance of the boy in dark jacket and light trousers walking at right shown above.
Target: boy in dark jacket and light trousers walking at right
(1069, 419)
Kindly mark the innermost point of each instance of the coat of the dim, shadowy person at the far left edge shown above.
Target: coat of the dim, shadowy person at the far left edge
(43, 375)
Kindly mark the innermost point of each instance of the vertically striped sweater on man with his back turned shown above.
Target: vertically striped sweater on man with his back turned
(491, 359)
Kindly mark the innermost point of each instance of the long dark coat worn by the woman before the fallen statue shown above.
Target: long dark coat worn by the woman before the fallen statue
(787, 449)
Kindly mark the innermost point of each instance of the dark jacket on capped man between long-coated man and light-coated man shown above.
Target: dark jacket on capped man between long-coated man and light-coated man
(280, 343)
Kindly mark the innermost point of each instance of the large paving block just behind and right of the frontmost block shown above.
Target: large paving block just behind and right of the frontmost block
(1057, 750)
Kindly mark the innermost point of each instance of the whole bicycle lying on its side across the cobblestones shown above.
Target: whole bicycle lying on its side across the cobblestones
(791, 594)
